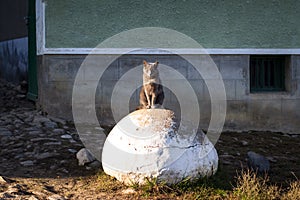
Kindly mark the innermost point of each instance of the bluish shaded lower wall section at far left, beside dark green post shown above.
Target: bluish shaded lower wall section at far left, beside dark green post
(14, 60)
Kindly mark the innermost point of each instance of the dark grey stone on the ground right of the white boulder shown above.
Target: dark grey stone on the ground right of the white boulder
(258, 162)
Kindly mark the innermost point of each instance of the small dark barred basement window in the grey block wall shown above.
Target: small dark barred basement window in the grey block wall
(267, 73)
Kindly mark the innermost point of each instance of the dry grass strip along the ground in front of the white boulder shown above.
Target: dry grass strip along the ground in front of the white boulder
(249, 186)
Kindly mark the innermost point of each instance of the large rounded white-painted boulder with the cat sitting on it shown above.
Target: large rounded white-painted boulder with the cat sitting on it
(147, 143)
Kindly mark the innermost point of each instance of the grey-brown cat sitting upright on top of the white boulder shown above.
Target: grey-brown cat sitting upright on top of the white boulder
(151, 94)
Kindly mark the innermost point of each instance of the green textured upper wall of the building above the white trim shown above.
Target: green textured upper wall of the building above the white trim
(213, 23)
